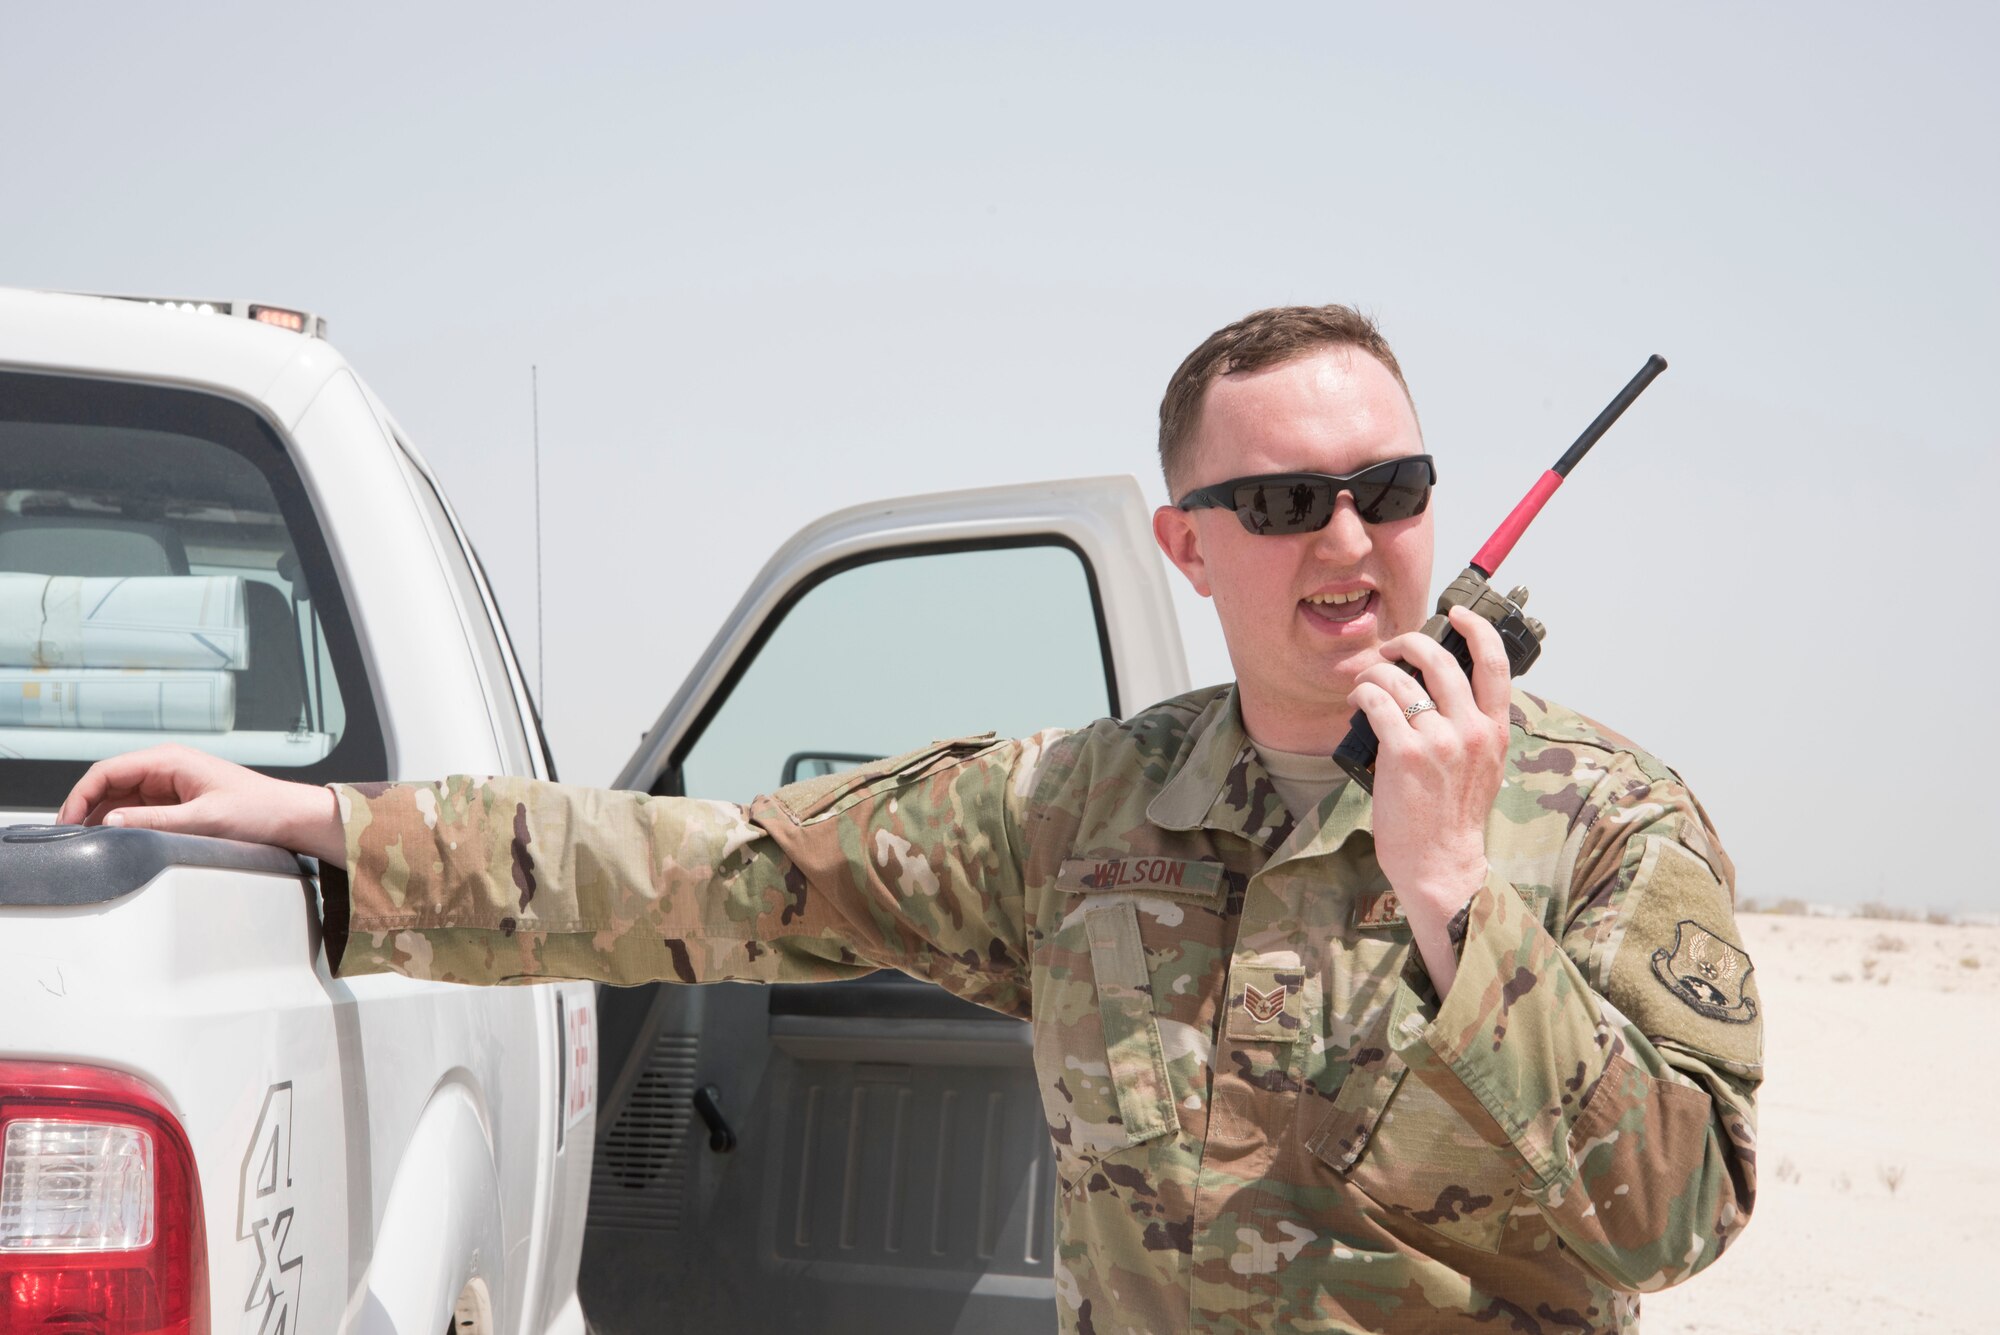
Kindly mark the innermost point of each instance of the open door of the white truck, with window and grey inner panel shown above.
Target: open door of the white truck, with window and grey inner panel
(873, 1154)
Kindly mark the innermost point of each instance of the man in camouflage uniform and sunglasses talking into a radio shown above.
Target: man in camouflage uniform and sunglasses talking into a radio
(1477, 1052)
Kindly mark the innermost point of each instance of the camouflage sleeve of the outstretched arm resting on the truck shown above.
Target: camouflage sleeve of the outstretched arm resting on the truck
(905, 864)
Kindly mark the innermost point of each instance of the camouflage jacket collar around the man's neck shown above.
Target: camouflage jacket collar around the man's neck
(1221, 784)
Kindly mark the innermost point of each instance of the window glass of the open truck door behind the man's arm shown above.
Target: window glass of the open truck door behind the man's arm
(893, 653)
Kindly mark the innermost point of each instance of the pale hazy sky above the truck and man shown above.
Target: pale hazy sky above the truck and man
(841, 253)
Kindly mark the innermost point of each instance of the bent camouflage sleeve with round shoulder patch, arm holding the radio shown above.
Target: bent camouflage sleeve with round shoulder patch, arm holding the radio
(1619, 1064)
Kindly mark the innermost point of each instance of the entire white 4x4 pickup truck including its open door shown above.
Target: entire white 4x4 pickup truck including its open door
(211, 533)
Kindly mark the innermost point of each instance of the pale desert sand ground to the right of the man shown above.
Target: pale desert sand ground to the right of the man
(1879, 1152)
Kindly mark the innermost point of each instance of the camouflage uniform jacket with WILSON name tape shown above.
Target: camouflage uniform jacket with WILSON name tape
(1263, 1116)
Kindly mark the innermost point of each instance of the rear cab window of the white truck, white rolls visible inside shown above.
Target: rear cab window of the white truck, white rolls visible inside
(163, 581)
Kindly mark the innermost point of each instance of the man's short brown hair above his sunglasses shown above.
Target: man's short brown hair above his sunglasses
(1261, 339)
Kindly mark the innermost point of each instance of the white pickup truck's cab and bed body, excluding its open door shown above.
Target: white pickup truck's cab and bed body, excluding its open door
(213, 535)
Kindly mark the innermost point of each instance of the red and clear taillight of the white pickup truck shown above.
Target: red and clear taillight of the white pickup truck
(85, 1248)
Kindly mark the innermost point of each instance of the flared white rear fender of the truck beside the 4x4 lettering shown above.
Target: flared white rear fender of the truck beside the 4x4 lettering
(441, 1226)
